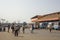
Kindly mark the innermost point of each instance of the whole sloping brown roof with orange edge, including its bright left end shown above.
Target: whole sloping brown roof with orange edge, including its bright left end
(48, 17)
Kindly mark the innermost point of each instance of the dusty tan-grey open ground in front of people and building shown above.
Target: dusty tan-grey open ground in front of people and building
(37, 35)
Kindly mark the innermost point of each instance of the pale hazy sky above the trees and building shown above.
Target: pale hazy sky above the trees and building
(23, 10)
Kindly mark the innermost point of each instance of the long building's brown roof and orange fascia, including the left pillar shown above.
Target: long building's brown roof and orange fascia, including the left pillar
(52, 17)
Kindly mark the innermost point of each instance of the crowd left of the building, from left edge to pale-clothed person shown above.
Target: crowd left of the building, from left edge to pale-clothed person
(16, 28)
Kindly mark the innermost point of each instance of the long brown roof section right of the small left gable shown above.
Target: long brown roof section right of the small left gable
(50, 17)
